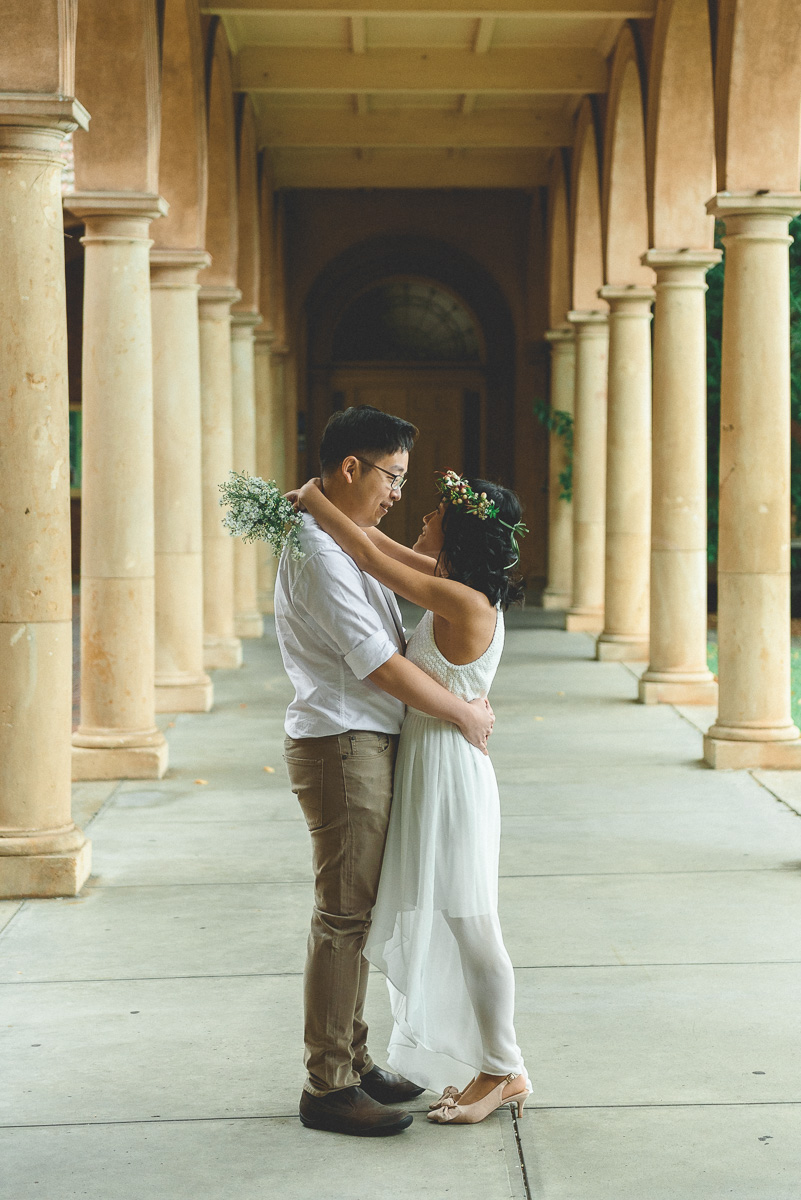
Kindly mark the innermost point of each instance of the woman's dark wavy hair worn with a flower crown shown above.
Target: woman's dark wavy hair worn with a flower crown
(480, 553)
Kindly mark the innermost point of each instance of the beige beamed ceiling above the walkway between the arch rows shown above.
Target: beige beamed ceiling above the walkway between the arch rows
(419, 93)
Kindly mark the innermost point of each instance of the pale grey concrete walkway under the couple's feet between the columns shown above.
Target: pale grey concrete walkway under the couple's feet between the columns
(152, 1029)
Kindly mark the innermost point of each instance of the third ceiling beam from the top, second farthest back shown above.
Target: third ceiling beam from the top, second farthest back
(509, 129)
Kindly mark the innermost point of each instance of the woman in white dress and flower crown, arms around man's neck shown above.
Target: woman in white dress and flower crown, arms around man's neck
(436, 933)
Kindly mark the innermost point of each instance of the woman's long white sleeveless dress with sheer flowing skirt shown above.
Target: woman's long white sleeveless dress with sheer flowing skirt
(436, 933)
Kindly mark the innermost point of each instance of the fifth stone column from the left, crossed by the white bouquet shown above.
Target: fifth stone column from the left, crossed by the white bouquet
(248, 617)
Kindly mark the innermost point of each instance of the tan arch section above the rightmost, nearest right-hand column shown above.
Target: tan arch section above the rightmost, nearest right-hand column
(758, 97)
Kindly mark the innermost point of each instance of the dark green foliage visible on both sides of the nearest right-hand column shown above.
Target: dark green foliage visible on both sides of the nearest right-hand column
(714, 333)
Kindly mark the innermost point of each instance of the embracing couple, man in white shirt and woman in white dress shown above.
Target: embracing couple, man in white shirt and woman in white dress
(387, 751)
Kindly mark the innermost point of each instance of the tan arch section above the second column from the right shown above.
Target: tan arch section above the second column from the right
(680, 153)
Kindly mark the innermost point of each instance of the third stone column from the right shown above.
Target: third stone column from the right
(629, 477)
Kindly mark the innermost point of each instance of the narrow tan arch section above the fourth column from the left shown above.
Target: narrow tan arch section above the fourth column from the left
(222, 215)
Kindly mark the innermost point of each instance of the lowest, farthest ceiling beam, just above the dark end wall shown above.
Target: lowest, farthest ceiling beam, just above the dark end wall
(376, 169)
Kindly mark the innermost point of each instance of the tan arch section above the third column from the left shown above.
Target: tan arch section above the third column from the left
(184, 159)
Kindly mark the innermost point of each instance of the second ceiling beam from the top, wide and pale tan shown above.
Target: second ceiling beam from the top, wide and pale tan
(546, 70)
